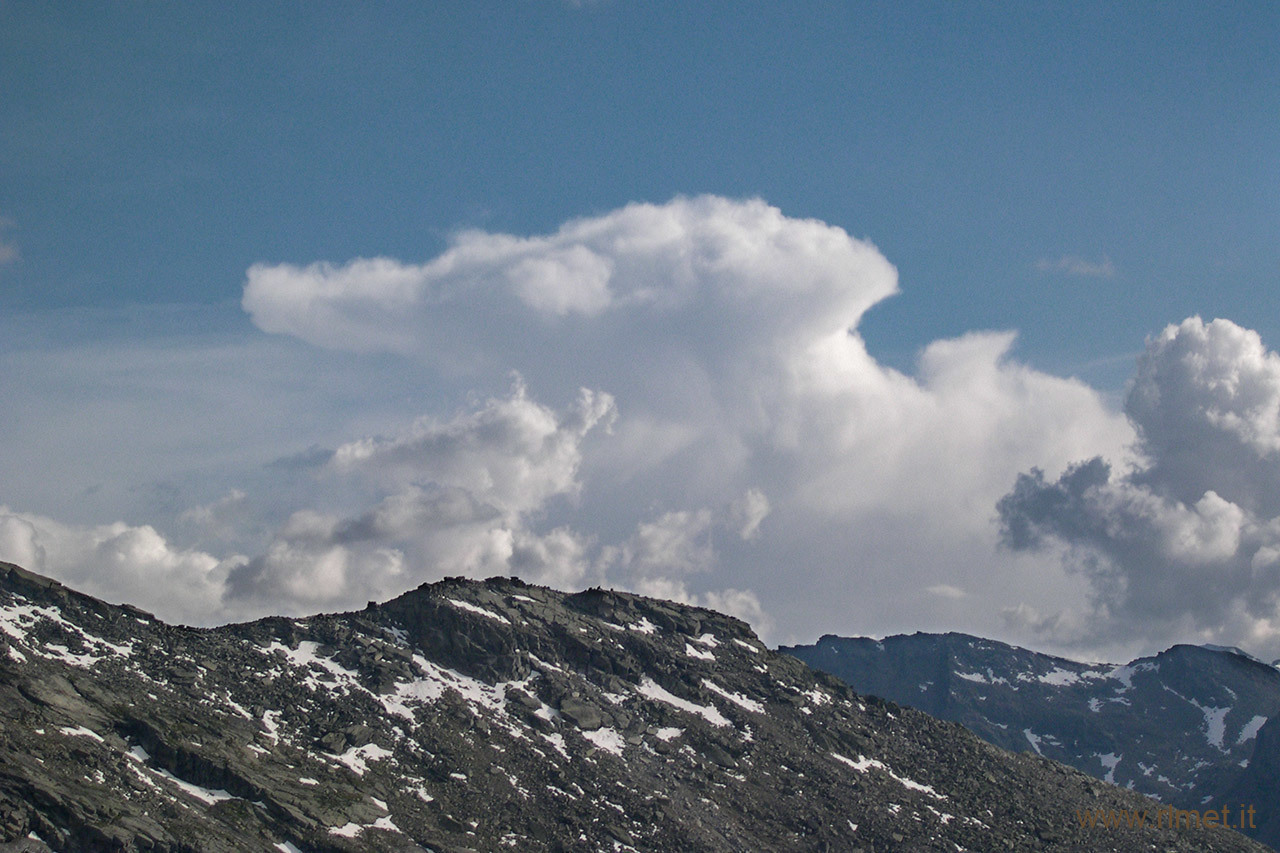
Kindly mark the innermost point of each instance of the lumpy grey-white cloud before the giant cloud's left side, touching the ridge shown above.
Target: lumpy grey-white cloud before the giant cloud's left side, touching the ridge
(458, 495)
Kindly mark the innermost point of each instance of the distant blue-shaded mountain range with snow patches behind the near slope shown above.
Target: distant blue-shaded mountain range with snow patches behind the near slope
(1195, 727)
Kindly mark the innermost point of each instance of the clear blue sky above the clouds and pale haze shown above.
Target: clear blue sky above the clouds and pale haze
(154, 152)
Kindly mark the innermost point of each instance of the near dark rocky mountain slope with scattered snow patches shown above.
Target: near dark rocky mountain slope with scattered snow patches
(490, 717)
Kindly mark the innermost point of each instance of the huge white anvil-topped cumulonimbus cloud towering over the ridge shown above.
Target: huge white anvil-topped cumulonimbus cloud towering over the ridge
(760, 459)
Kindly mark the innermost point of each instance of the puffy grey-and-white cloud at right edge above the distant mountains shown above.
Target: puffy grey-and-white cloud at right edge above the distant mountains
(1183, 539)
